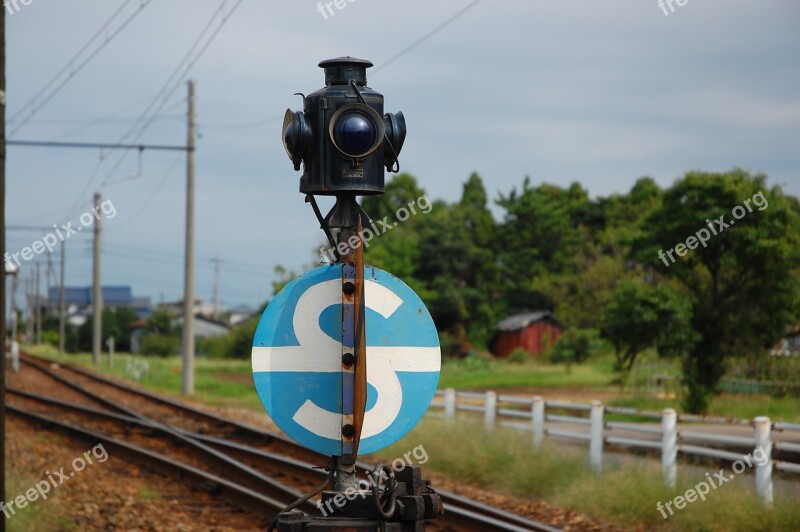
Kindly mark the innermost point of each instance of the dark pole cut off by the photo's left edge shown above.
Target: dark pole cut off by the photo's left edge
(3, 248)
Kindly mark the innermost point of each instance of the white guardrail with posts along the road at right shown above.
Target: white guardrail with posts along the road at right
(534, 414)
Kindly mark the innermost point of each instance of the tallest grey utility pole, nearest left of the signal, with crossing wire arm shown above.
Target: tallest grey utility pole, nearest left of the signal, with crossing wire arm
(187, 387)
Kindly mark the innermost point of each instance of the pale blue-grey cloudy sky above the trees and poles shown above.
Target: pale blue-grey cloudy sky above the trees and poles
(596, 92)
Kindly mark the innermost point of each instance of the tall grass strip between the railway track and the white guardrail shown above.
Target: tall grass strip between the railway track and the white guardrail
(625, 495)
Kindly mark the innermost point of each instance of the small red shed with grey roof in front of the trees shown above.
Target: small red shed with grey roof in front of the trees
(532, 331)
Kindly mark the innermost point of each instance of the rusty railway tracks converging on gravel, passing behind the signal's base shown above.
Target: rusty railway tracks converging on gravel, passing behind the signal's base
(246, 450)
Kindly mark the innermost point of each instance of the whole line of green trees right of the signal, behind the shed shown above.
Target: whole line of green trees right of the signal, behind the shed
(730, 284)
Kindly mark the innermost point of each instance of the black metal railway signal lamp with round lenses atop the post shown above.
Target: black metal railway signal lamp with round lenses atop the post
(342, 137)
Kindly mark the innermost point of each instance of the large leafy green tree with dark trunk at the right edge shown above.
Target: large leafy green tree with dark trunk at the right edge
(743, 280)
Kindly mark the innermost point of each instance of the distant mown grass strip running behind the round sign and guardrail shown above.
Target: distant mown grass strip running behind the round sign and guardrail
(229, 382)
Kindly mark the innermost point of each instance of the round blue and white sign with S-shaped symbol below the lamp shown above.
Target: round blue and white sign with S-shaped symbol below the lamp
(297, 359)
